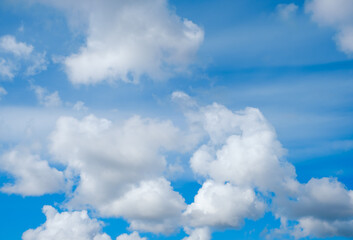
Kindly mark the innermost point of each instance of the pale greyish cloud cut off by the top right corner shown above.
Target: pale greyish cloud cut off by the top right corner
(337, 14)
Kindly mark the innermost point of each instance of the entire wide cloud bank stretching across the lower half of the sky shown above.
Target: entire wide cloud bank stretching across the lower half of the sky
(117, 169)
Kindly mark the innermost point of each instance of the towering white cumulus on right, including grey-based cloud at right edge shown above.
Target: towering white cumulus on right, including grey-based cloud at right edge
(244, 168)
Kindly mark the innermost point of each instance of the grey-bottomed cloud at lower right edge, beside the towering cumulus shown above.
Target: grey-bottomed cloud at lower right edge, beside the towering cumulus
(323, 208)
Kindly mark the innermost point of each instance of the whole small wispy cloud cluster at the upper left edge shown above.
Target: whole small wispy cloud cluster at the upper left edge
(15, 55)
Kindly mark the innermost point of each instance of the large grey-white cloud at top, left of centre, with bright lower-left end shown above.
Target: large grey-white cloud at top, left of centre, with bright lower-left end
(130, 39)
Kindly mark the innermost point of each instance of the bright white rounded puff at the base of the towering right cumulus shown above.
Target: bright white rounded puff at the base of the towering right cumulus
(223, 206)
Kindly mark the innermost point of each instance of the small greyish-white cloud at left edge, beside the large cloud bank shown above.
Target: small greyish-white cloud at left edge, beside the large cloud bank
(33, 176)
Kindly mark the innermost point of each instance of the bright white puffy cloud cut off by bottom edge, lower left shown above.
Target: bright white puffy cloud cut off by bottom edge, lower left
(66, 225)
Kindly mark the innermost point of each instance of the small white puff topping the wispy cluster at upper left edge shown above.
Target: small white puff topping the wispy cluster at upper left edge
(8, 43)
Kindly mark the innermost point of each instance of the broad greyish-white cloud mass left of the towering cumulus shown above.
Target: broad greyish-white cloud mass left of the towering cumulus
(119, 169)
